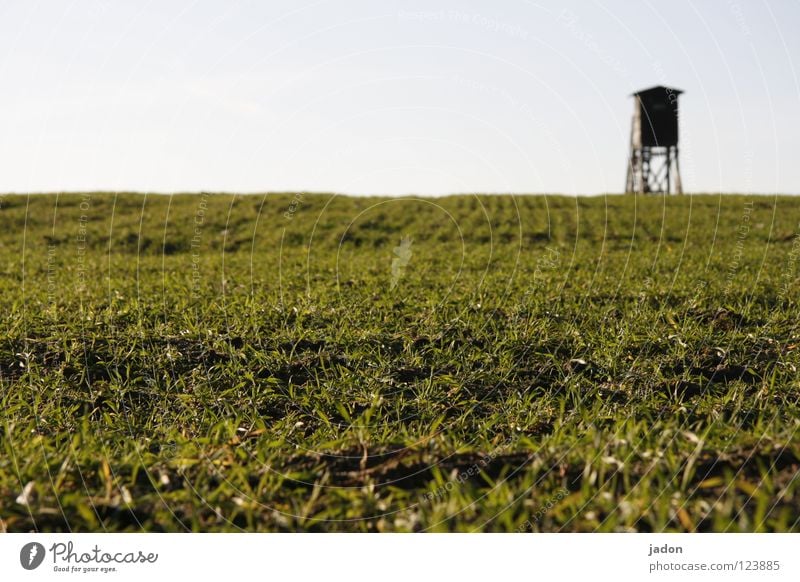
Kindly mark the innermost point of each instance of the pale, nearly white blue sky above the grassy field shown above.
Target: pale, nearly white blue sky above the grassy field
(390, 97)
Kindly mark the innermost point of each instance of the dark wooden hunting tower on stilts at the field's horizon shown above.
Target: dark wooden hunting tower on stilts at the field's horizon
(653, 162)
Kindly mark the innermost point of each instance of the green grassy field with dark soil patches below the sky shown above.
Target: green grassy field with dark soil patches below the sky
(302, 362)
